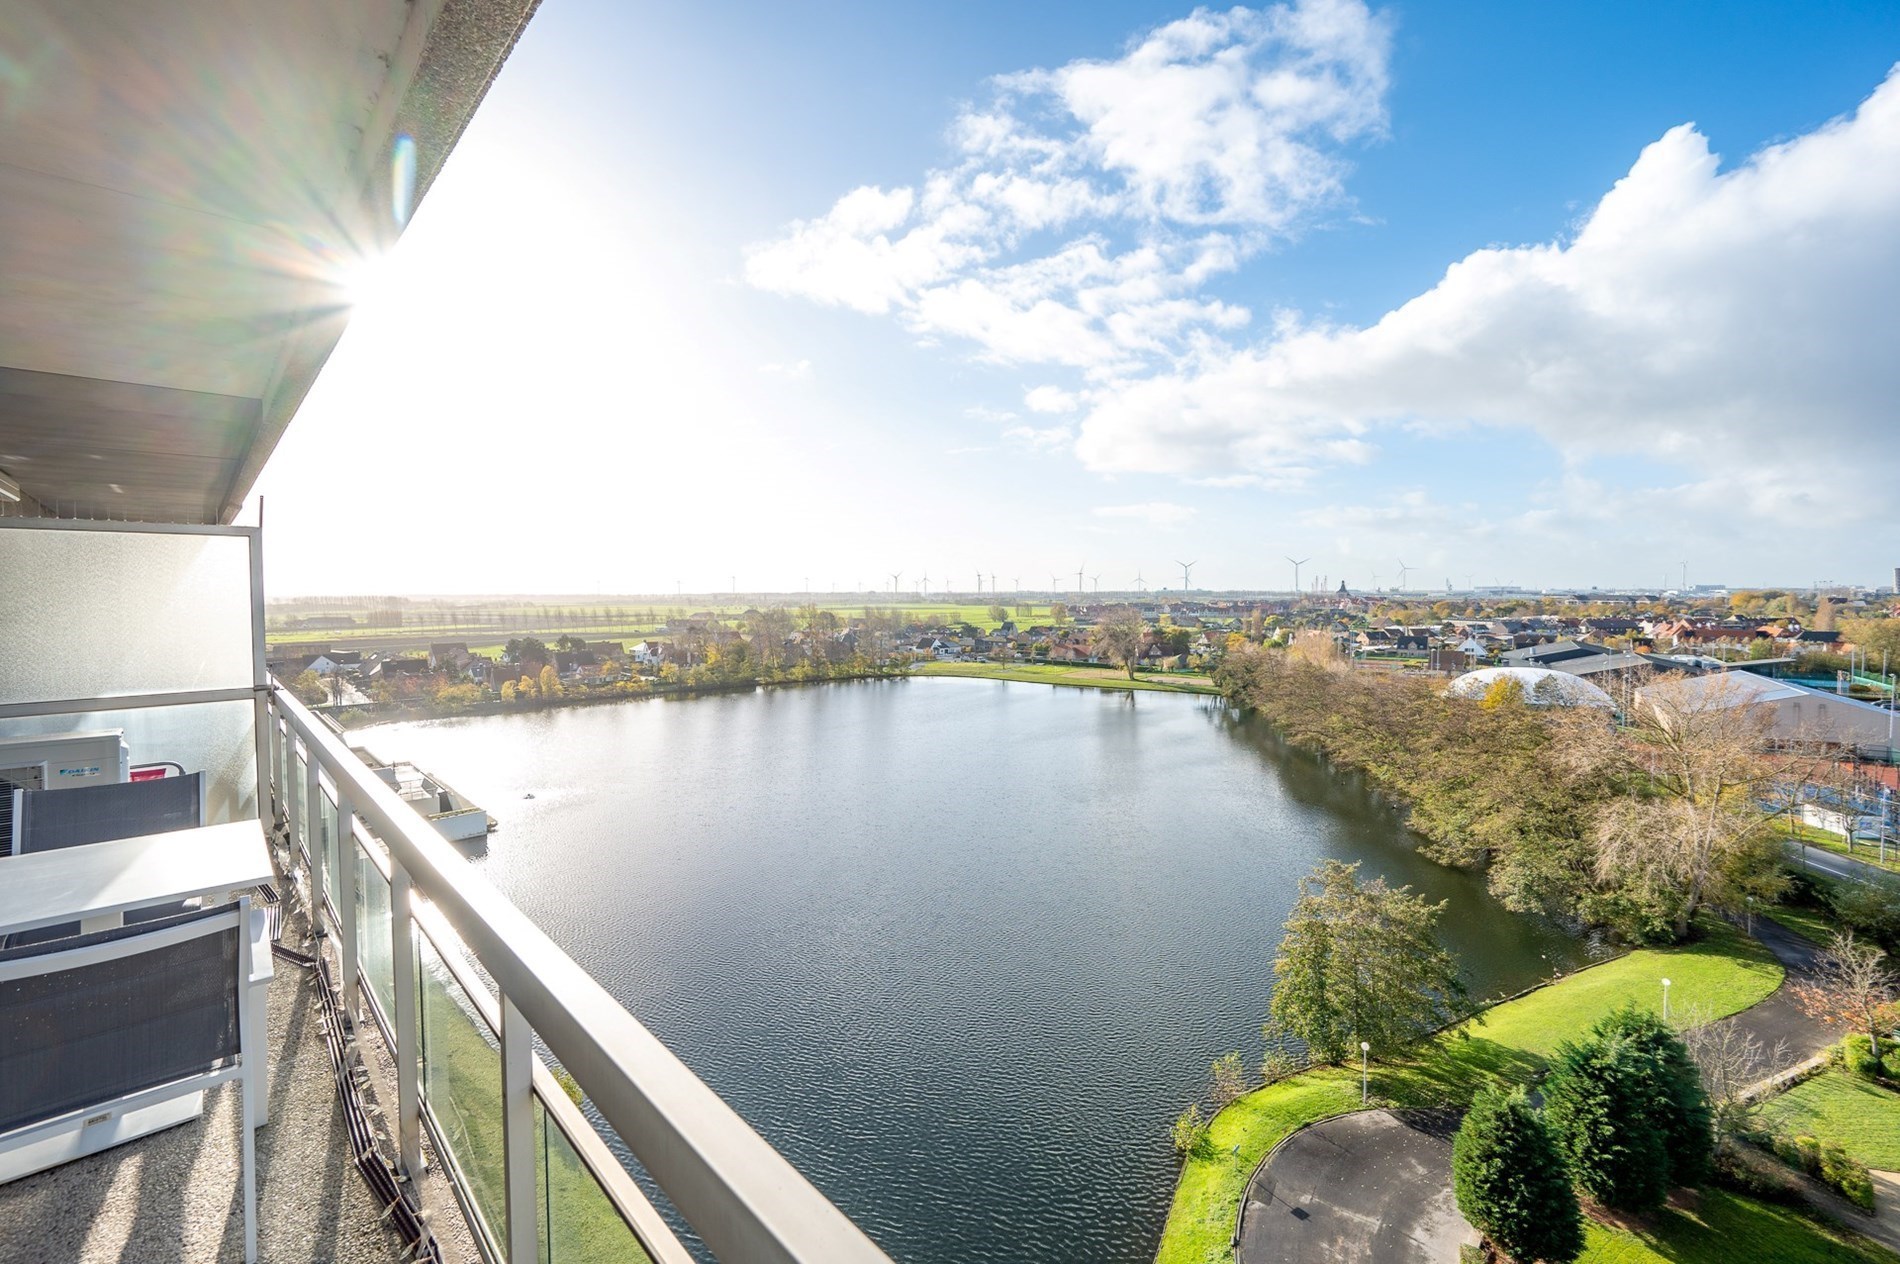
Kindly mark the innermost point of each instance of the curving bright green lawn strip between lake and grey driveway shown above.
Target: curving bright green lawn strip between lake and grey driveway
(1722, 974)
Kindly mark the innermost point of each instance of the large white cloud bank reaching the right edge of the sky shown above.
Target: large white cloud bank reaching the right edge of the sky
(1736, 322)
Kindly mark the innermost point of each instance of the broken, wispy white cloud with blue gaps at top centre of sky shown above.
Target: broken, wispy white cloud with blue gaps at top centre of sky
(1086, 206)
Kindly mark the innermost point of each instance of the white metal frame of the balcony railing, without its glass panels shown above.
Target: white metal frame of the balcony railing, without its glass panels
(740, 1195)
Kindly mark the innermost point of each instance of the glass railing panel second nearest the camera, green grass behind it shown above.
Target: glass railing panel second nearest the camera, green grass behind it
(463, 1088)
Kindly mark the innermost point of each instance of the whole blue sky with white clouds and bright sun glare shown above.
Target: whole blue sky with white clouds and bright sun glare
(801, 297)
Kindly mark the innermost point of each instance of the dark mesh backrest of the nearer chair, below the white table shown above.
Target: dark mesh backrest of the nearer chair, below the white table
(96, 1018)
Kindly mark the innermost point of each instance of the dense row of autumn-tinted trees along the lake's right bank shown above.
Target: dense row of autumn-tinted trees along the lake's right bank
(1635, 828)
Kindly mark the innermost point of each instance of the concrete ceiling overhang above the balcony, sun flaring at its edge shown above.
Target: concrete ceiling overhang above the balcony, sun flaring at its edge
(185, 193)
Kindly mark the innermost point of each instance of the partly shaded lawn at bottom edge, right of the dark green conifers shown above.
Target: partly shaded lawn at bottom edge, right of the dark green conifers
(1724, 1229)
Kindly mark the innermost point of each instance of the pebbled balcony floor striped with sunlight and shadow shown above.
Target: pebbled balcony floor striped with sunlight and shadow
(176, 1195)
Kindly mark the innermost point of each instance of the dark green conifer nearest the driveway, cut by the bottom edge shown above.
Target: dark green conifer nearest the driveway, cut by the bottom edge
(1511, 1181)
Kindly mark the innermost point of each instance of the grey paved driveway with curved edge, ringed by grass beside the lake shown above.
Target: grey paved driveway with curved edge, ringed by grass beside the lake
(1352, 1191)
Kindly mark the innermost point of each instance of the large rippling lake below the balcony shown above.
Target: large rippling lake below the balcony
(960, 949)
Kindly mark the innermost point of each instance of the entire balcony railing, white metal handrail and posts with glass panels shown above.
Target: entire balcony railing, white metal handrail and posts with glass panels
(533, 1176)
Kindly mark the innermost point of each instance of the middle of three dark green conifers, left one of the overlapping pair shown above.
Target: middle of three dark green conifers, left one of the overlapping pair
(1597, 1101)
